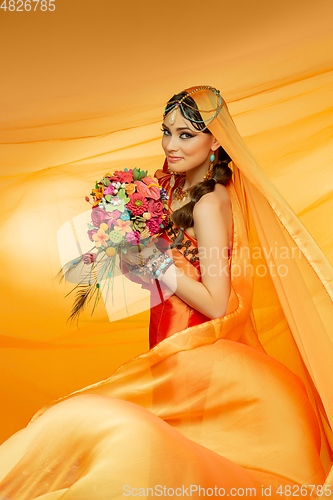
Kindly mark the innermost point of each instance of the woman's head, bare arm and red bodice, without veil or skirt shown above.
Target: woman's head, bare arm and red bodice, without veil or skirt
(200, 279)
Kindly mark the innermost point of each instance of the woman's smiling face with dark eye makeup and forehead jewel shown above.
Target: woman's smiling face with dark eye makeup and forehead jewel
(184, 147)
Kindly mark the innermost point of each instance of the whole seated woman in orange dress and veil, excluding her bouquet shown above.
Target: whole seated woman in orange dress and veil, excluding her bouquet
(233, 398)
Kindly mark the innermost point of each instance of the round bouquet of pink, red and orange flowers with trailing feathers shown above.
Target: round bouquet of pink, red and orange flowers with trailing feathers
(129, 208)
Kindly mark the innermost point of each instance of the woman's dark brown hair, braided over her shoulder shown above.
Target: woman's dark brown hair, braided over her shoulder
(183, 217)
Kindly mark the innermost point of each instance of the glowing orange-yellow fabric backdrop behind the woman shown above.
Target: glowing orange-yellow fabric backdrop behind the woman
(83, 89)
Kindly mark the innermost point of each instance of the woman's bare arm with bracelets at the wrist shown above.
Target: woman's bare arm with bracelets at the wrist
(212, 215)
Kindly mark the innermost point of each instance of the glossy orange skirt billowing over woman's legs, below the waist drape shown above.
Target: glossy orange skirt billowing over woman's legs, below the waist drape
(254, 428)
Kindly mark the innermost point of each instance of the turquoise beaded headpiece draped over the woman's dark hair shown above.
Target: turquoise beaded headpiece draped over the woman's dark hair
(172, 107)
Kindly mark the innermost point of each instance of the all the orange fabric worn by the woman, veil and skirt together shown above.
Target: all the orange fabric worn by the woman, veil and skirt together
(241, 401)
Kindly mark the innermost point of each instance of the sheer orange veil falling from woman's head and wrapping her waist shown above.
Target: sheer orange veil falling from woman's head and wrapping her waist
(289, 309)
